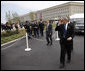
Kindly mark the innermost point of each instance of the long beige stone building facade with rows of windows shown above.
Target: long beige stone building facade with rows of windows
(63, 10)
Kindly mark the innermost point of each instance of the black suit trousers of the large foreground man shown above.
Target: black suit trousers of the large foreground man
(65, 49)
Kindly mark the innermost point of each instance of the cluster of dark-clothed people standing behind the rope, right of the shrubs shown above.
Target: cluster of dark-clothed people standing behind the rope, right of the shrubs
(34, 28)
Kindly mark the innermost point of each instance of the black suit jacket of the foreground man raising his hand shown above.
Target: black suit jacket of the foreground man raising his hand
(70, 32)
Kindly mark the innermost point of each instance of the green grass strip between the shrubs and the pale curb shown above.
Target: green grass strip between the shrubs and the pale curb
(12, 37)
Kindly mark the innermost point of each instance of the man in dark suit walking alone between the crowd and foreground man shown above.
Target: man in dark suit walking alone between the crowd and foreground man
(49, 33)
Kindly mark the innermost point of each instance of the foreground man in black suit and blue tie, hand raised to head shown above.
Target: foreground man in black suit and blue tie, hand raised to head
(66, 34)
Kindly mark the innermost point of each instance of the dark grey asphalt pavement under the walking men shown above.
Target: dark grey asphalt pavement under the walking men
(41, 57)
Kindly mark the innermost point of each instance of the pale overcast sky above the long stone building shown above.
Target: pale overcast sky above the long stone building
(23, 7)
